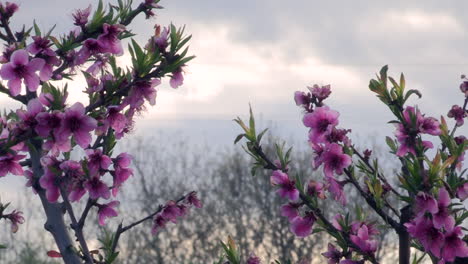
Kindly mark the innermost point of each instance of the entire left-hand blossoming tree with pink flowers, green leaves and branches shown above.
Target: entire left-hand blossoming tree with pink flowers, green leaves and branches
(65, 149)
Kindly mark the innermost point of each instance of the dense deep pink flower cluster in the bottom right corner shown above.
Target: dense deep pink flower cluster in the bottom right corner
(434, 227)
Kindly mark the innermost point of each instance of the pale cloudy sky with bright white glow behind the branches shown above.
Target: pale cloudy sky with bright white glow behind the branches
(261, 51)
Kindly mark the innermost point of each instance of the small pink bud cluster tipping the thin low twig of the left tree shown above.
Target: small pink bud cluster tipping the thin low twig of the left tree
(173, 210)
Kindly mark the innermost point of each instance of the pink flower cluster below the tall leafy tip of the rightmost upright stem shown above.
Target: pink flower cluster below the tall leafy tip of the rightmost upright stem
(414, 124)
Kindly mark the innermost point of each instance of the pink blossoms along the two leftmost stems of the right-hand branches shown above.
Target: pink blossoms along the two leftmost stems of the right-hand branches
(328, 143)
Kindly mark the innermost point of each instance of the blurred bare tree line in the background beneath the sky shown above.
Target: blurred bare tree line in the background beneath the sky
(234, 203)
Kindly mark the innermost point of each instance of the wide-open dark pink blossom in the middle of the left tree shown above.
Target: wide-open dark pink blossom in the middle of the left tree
(76, 122)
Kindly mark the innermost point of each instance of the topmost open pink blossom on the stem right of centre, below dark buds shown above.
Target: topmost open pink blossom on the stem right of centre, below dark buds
(319, 122)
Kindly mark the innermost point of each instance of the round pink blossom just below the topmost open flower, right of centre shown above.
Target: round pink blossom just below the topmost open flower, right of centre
(335, 160)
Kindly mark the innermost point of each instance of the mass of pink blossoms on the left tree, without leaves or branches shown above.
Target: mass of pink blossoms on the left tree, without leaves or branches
(61, 127)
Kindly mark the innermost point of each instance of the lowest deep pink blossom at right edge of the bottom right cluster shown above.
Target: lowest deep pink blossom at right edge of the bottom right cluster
(454, 246)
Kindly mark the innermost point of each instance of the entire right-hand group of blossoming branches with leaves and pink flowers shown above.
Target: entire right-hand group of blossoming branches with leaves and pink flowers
(436, 225)
